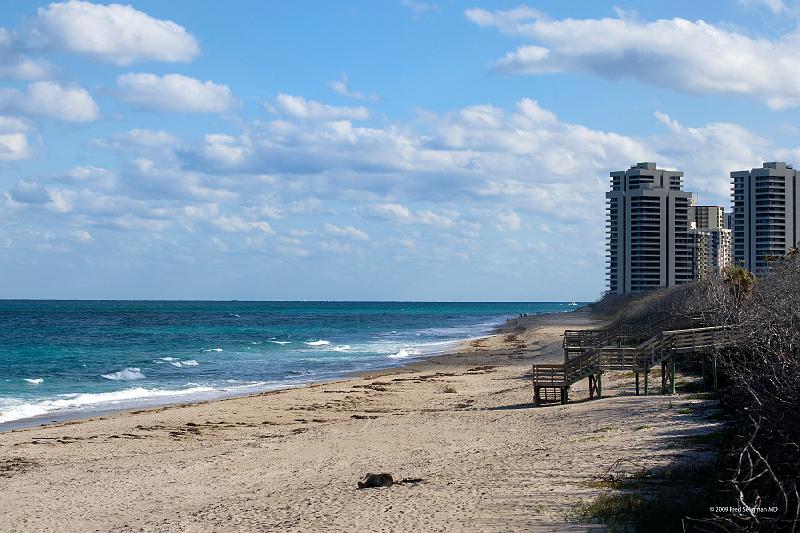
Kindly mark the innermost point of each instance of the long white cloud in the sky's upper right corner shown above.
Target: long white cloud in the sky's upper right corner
(689, 56)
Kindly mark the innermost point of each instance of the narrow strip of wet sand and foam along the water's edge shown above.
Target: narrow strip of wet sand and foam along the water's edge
(67, 415)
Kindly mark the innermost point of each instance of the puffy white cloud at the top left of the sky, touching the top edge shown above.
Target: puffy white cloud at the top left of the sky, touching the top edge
(114, 33)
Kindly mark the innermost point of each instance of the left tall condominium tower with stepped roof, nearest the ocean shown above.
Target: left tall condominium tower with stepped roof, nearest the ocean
(649, 245)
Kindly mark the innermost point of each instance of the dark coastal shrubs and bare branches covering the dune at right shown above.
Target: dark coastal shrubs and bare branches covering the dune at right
(755, 477)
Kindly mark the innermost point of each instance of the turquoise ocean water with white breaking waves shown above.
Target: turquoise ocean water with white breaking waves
(75, 357)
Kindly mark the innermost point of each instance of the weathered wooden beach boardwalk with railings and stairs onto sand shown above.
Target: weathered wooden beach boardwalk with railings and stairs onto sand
(590, 353)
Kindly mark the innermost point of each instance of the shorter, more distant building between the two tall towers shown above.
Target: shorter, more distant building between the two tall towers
(711, 240)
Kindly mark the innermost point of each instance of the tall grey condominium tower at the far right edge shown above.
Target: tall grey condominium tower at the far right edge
(765, 218)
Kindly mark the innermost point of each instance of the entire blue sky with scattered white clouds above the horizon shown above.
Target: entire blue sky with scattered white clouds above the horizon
(363, 150)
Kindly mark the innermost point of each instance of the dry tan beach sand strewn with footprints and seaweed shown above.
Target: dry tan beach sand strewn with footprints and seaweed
(290, 460)
